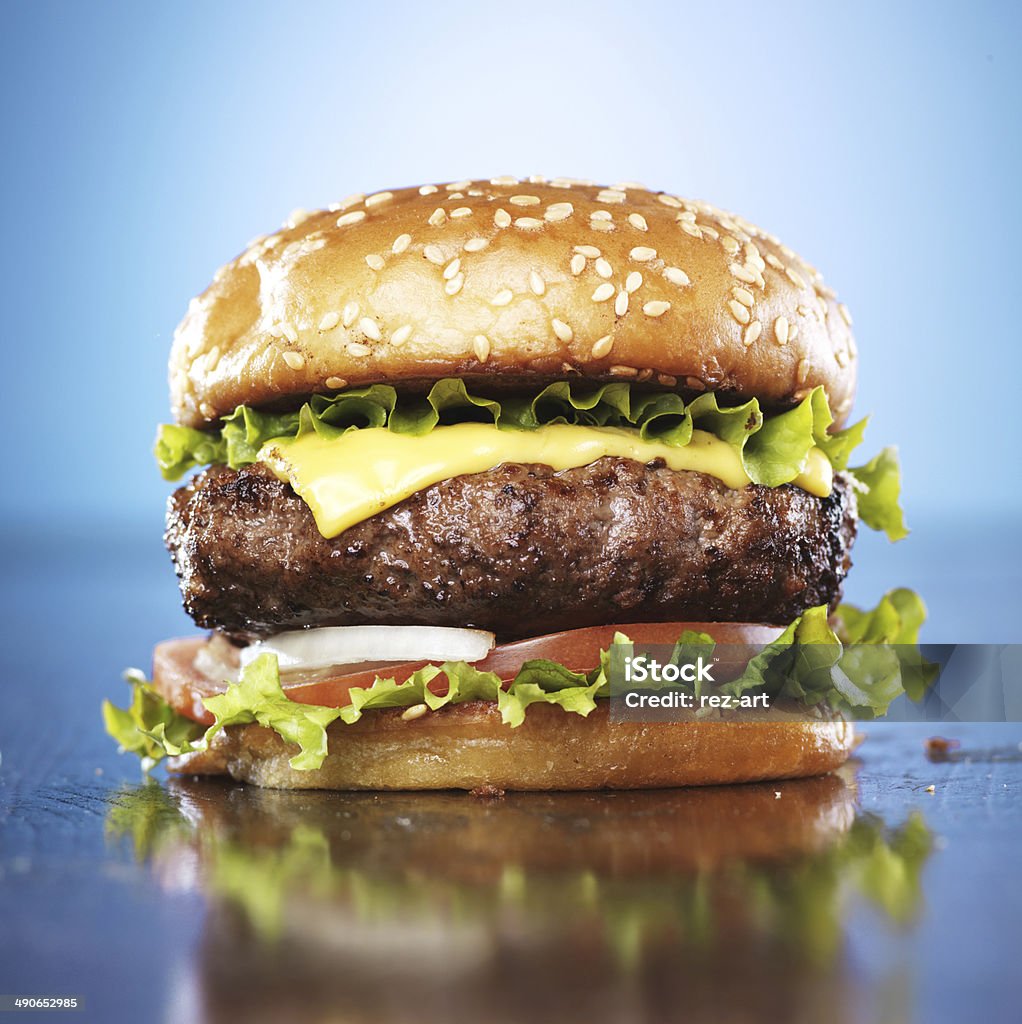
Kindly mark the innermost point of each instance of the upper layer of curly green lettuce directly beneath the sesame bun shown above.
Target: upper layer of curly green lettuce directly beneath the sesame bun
(774, 449)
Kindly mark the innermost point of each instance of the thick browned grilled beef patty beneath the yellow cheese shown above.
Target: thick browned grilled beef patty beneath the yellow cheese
(521, 550)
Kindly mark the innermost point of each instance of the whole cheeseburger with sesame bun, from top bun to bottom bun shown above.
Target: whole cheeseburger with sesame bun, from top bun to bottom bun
(455, 443)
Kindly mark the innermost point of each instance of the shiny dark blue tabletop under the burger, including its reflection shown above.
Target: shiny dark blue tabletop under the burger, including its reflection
(864, 897)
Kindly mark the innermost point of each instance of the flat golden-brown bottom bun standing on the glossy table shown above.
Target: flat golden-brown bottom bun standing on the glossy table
(467, 747)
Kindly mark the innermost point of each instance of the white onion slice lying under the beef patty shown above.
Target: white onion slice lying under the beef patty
(348, 646)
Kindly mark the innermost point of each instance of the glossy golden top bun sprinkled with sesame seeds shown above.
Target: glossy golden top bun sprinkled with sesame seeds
(513, 283)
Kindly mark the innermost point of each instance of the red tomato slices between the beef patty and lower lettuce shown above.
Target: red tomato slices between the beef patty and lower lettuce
(184, 686)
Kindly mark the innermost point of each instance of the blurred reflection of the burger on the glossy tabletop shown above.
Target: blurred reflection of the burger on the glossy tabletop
(717, 905)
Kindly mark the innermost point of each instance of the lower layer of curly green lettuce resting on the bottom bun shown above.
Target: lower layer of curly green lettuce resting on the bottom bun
(810, 663)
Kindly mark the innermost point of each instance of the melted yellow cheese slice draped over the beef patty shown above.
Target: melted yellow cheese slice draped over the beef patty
(350, 479)
